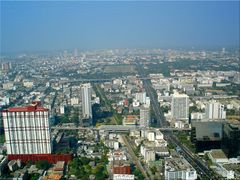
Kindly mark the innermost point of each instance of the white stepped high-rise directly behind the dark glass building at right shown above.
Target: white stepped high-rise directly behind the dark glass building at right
(215, 110)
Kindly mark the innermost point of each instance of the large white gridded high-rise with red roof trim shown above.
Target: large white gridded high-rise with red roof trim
(27, 130)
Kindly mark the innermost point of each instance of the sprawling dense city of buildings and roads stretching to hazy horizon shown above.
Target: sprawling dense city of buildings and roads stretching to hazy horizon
(121, 122)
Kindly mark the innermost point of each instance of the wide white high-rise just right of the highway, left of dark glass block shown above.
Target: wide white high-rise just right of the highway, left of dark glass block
(180, 106)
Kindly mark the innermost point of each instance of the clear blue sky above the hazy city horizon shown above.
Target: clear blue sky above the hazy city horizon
(57, 25)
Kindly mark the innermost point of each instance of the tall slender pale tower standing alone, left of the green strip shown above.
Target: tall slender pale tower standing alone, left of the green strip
(86, 92)
